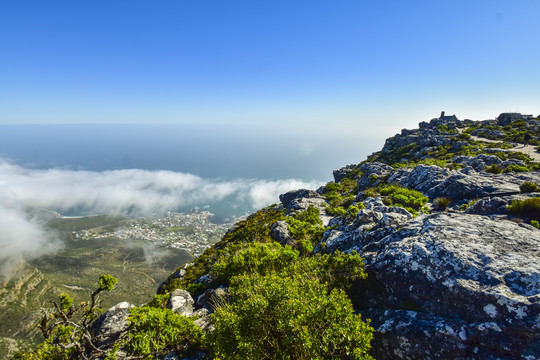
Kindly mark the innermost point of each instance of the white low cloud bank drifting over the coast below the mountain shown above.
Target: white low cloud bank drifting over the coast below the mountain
(133, 191)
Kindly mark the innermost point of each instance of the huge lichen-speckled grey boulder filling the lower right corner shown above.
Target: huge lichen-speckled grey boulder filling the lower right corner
(454, 286)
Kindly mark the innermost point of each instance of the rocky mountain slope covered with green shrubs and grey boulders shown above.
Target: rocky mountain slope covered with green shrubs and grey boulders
(434, 239)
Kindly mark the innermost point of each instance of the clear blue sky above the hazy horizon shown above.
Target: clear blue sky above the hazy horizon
(361, 63)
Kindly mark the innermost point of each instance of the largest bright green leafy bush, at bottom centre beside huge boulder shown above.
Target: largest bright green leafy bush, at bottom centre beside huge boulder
(287, 318)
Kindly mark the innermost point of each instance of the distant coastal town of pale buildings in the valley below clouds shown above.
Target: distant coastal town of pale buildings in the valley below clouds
(192, 232)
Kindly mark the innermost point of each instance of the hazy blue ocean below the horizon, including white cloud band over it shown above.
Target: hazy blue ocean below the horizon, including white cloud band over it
(229, 170)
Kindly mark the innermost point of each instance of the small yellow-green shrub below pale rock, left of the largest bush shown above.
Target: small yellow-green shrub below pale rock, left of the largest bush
(155, 332)
